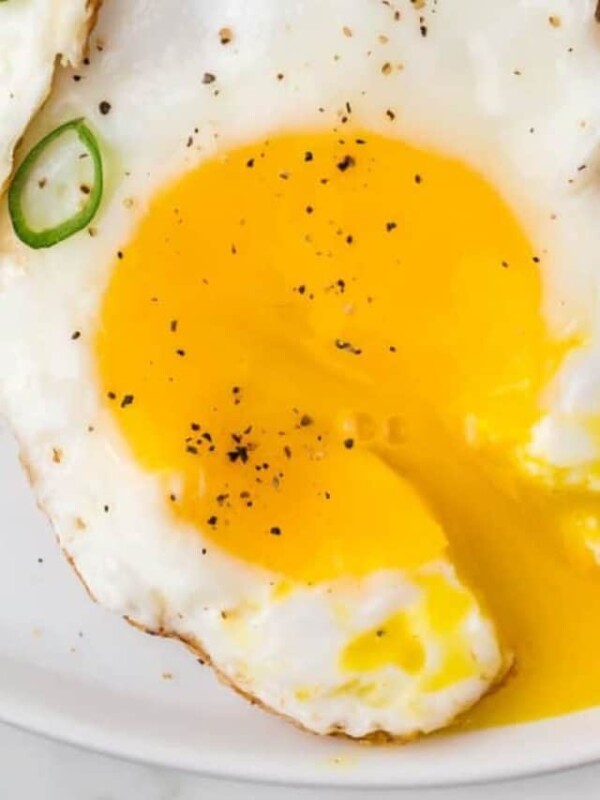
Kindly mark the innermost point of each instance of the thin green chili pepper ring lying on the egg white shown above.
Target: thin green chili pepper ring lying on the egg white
(51, 236)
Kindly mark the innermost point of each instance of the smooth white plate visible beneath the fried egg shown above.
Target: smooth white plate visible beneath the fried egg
(75, 672)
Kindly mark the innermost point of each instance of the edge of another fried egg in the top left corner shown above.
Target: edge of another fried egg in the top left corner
(33, 36)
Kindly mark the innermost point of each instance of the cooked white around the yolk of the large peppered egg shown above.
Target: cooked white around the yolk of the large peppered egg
(475, 86)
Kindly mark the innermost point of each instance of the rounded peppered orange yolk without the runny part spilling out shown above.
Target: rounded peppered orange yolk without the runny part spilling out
(286, 323)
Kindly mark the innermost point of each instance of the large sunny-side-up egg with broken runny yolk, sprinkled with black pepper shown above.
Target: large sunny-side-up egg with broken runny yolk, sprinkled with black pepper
(308, 392)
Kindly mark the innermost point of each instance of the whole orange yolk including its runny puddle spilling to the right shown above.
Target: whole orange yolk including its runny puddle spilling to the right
(330, 349)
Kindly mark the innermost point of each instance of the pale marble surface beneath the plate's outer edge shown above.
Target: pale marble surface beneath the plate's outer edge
(32, 768)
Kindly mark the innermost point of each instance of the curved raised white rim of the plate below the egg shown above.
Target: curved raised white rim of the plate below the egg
(65, 729)
